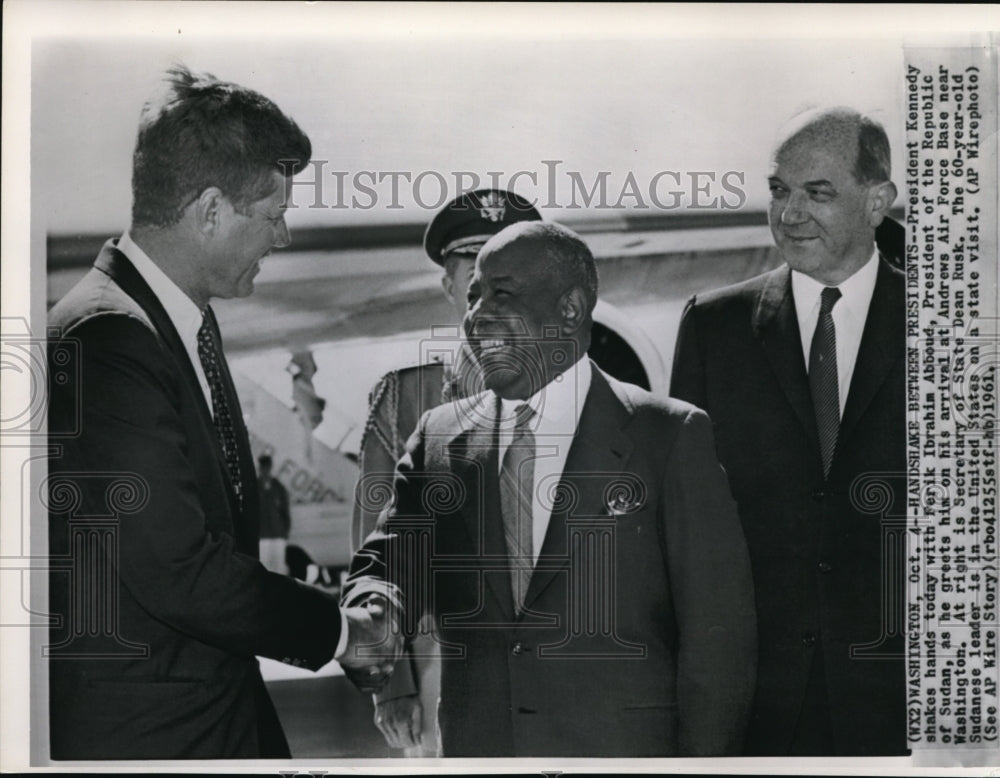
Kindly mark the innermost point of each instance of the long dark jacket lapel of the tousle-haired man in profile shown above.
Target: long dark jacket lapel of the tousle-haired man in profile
(115, 264)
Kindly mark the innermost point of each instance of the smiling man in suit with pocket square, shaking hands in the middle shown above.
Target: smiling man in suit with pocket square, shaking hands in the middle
(574, 537)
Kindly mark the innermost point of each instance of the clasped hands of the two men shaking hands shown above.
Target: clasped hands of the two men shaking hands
(374, 643)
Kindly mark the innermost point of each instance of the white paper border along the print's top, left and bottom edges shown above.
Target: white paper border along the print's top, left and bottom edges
(22, 294)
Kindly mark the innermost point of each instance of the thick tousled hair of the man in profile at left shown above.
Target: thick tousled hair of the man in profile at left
(202, 132)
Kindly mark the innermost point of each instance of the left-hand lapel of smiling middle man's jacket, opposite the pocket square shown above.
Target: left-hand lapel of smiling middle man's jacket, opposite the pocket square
(473, 457)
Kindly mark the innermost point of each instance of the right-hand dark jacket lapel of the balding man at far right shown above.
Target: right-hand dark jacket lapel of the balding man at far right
(882, 344)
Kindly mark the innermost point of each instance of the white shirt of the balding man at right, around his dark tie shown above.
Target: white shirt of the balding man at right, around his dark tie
(849, 316)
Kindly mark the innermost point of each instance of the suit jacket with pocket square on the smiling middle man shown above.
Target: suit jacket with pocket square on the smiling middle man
(639, 634)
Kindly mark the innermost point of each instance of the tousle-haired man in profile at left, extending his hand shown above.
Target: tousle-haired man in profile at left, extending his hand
(160, 601)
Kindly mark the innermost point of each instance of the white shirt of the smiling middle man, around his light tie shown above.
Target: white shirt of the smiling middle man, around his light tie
(557, 407)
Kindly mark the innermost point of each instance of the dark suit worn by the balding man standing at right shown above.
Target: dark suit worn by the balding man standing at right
(817, 548)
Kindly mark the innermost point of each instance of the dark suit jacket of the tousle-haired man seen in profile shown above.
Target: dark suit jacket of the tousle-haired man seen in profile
(160, 600)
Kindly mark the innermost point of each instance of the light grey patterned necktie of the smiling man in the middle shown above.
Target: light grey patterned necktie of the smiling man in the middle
(517, 476)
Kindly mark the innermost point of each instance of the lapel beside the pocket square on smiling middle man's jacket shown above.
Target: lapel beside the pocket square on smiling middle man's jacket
(598, 452)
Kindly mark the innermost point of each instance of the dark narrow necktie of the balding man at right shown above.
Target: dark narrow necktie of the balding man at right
(823, 380)
